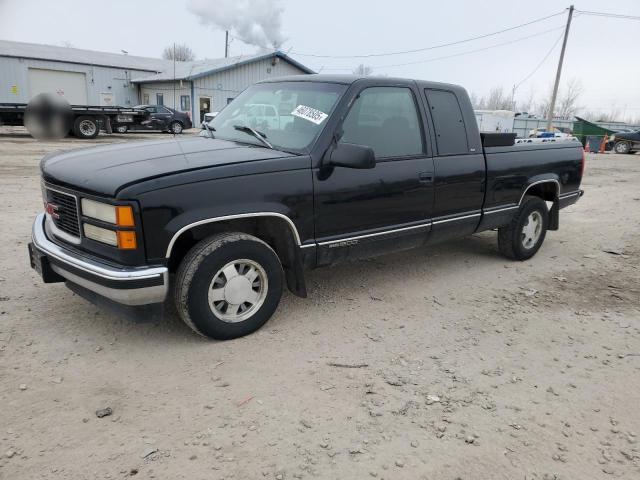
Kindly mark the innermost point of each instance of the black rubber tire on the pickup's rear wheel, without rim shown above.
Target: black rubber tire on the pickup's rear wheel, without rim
(512, 241)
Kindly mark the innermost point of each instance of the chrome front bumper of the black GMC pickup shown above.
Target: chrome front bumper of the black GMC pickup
(102, 271)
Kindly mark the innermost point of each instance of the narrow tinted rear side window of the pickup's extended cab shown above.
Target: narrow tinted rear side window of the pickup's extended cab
(451, 134)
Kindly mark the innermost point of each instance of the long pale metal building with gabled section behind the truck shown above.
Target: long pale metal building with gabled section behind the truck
(87, 77)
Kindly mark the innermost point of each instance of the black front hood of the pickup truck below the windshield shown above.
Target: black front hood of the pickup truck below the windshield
(105, 170)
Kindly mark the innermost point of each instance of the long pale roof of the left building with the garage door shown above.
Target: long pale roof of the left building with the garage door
(85, 57)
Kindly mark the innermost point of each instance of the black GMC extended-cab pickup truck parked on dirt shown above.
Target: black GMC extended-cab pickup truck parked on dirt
(350, 167)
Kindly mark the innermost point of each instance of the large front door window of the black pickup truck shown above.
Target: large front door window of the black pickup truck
(385, 119)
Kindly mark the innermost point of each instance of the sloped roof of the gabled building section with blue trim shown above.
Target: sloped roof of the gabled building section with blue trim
(201, 68)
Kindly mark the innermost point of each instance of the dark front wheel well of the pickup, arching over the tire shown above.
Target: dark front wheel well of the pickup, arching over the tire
(275, 231)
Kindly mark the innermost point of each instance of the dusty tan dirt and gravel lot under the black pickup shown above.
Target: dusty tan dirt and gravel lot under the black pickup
(471, 366)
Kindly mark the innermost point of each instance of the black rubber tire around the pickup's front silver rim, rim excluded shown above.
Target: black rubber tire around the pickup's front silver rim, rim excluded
(195, 279)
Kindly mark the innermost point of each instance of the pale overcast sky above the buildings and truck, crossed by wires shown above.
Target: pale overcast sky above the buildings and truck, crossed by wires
(602, 52)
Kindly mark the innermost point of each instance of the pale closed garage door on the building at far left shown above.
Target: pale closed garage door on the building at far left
(71, 85)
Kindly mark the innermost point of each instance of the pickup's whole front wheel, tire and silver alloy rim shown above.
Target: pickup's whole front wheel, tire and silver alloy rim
(228, 286)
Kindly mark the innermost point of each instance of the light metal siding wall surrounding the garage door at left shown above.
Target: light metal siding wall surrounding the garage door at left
(14, 71)
